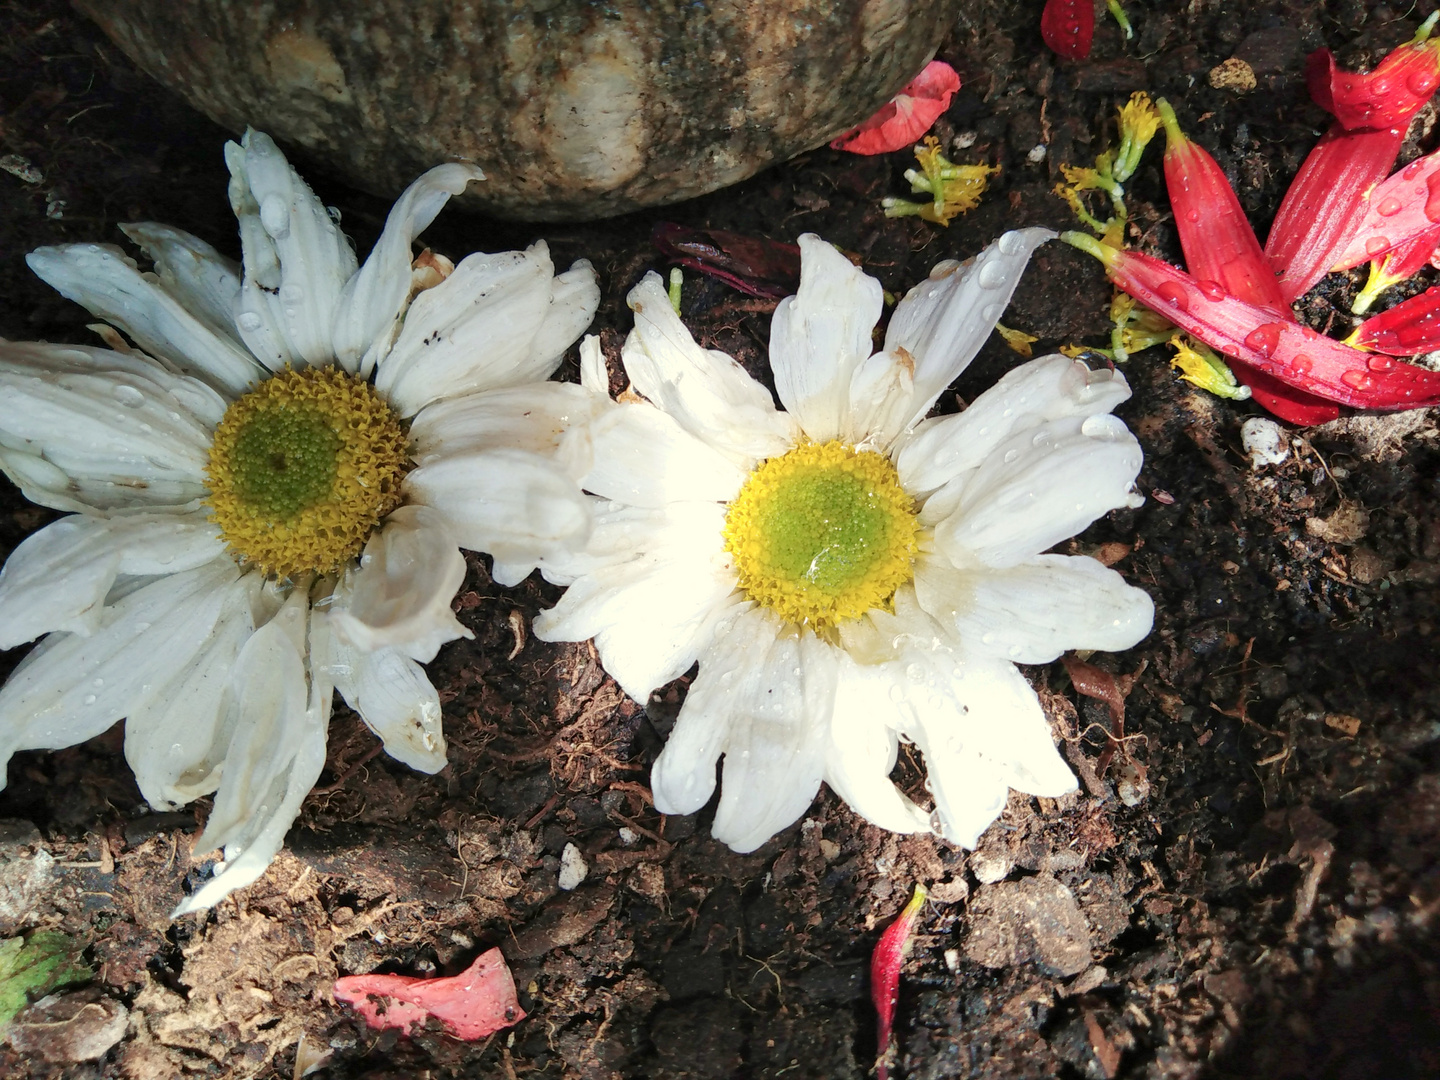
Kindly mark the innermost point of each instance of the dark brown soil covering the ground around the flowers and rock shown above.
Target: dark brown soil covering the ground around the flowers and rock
(1249, 891)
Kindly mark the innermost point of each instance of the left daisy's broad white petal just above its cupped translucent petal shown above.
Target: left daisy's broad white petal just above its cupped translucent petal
(518, 506)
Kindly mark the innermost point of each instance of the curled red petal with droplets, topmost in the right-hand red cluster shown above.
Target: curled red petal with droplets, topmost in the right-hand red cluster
(1385, 99)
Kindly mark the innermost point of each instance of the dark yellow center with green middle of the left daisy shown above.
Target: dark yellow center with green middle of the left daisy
(303, 469)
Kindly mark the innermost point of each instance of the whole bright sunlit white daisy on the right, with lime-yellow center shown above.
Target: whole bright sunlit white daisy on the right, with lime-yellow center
(847, 572)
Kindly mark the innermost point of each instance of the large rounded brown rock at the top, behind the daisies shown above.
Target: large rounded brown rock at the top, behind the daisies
(575, 109)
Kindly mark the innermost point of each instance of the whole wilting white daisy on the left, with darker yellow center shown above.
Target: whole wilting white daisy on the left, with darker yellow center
(267, 503)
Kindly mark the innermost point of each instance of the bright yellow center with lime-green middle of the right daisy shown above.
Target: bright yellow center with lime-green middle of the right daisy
(823, 535)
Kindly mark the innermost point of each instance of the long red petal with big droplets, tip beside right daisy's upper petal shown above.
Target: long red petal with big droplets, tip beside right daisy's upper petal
(1288, 352)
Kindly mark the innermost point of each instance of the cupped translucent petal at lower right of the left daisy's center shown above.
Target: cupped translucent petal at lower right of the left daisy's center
(401, 594)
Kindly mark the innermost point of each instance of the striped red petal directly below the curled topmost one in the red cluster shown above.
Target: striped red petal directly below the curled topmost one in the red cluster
(1326, 204)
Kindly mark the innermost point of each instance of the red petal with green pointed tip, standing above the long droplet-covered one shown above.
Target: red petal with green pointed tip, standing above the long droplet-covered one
(1215, 233)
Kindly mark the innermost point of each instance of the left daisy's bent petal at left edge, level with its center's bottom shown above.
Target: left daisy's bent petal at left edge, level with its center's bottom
(60, 577)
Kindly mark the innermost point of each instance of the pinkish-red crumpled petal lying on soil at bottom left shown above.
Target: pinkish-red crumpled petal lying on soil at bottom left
(472, 1006)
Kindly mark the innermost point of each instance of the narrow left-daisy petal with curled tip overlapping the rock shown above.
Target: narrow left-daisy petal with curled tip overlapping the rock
(374, 300)
